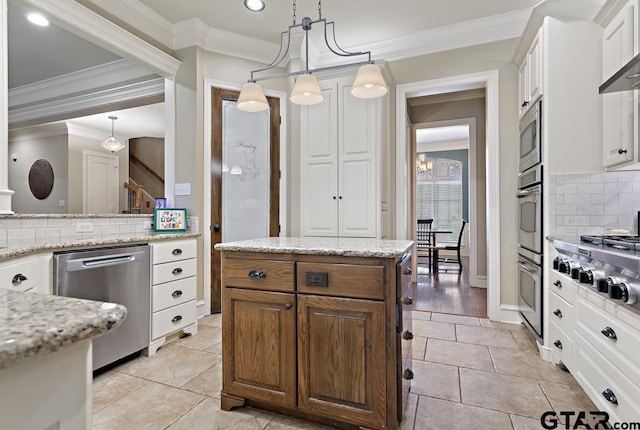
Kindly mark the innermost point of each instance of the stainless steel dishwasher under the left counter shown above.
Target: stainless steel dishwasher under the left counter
(112, 274)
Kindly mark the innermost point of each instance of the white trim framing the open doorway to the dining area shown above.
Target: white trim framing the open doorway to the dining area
(489, 80)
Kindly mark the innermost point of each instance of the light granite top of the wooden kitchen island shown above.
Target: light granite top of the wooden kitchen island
(347, 247)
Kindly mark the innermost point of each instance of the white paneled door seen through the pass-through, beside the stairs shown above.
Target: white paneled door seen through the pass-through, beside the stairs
(100, 173)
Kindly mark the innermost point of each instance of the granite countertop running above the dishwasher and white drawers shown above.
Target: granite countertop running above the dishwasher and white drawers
(17, 248)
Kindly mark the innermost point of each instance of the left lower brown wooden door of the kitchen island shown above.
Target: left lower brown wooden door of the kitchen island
(259, 344)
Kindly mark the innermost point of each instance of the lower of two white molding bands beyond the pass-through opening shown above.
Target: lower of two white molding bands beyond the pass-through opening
(52, 109)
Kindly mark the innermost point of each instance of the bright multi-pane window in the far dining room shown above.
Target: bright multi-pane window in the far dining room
(439, 194)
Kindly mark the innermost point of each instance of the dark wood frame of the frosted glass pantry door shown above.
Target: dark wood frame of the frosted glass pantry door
(219, 95)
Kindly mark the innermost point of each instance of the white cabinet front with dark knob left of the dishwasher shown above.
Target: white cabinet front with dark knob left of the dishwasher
(29, 273)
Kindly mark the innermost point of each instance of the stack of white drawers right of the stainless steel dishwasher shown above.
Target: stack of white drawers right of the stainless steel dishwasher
(173, 290)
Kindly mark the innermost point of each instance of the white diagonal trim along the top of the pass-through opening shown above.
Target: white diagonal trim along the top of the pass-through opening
(87, 24)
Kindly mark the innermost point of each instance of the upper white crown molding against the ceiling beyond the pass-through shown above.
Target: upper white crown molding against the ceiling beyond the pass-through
(101, 76)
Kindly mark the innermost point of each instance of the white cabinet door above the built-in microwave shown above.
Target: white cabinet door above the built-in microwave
(531, 73)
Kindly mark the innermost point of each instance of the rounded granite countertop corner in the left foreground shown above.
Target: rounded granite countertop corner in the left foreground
(33, 325)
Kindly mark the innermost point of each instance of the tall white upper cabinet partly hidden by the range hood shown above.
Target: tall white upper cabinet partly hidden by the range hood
(619, 110)
